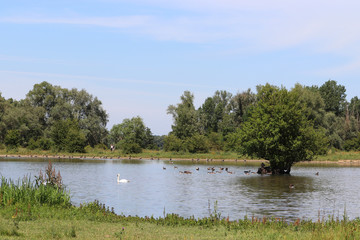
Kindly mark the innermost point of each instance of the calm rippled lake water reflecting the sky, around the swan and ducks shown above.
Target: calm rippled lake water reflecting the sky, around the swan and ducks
(153, 190)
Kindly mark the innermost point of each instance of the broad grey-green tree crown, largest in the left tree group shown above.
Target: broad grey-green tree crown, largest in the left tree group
(60, 103)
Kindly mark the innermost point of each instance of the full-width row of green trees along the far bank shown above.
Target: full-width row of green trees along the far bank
(71, 120)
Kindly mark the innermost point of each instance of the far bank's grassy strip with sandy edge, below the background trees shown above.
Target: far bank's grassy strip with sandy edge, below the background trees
(339, 158)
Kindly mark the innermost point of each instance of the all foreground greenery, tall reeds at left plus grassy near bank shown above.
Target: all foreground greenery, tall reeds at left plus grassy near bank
(42, 210)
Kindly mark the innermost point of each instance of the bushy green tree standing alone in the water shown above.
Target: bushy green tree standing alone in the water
(278, 129)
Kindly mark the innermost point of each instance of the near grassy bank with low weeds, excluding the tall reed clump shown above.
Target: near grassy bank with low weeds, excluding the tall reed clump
(94, 221)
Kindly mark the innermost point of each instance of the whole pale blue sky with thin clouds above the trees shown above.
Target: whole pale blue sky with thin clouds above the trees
(139, 56)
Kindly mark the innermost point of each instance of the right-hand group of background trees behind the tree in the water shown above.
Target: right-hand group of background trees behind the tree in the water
(215, 125)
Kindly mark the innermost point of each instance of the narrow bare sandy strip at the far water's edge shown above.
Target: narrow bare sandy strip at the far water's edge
(63, 157)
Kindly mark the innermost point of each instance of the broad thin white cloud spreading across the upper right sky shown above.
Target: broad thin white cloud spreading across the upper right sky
(253, 26)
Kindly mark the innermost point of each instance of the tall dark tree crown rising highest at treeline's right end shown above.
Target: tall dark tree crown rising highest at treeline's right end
(334, 97)
